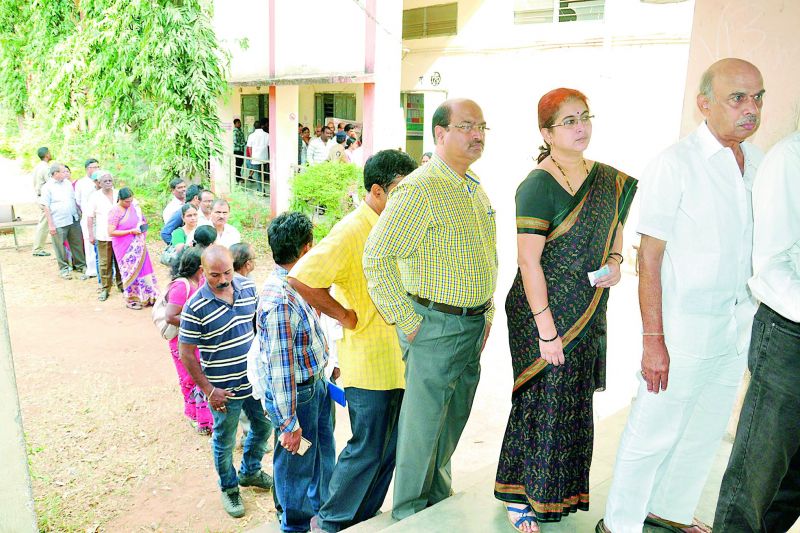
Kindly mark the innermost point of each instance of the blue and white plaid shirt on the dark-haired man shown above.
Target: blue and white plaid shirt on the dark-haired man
(293, 346)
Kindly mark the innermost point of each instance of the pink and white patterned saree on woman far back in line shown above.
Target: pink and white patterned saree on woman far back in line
(138, 279)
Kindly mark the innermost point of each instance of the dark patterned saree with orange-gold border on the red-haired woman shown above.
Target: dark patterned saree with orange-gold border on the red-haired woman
(547, 448)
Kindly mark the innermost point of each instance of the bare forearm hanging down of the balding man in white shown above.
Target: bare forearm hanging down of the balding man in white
(655, 357)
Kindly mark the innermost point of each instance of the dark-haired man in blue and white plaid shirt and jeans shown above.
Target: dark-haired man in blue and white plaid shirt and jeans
(290, 370)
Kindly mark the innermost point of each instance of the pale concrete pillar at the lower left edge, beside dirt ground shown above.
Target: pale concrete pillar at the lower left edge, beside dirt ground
(16, 497)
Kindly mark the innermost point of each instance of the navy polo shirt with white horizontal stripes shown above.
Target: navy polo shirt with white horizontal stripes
(223, 334)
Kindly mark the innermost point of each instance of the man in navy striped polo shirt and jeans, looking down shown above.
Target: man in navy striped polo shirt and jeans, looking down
(218, 319)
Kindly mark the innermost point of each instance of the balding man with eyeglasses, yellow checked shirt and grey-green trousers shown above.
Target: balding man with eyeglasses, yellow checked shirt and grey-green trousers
(431, 269)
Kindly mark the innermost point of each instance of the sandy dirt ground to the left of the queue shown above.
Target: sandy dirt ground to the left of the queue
(108, 444)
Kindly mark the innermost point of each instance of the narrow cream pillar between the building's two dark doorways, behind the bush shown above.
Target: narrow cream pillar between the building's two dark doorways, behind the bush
(283, 112)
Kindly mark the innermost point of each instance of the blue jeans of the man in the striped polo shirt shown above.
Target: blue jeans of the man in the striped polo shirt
(224, 439)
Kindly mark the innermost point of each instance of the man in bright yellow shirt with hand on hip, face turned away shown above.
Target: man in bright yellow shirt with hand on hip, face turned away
(369, 353)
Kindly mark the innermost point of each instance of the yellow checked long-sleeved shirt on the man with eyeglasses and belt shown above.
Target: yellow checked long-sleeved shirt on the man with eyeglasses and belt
(435, 239)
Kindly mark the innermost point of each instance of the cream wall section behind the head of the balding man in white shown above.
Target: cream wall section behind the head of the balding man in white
(764, 33)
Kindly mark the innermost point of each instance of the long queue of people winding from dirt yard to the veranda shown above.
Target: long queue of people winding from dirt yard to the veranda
(410, 276)
